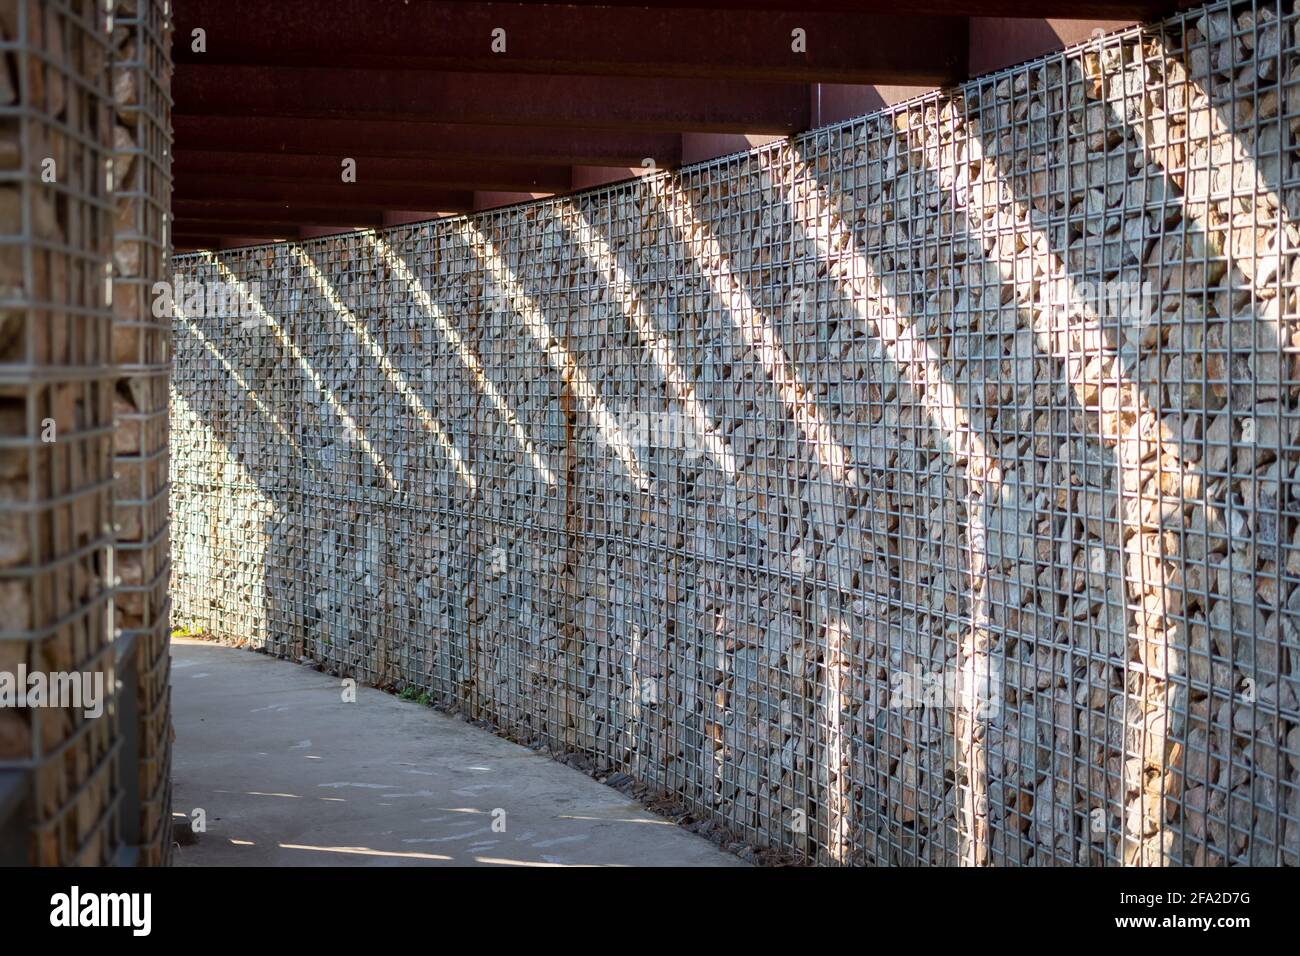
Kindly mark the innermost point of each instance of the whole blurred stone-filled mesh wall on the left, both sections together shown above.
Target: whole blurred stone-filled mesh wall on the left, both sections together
(85, 196)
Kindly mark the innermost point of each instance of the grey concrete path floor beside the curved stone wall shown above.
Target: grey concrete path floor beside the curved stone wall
(291, 776)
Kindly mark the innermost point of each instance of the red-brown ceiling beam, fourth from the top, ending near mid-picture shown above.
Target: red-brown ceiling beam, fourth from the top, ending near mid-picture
(426, 141)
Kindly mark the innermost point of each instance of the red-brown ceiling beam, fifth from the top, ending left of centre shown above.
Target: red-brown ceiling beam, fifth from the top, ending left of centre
(375, 171)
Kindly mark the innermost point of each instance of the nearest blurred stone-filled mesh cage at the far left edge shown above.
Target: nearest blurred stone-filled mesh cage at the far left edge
(57, 395)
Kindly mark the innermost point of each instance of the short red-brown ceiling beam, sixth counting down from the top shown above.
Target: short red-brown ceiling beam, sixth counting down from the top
(357, 194)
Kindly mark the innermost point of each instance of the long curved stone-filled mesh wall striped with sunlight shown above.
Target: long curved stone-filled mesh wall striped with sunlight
(916, 491)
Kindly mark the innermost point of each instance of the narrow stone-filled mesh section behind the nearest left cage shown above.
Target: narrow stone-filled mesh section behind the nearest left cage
(142, 349)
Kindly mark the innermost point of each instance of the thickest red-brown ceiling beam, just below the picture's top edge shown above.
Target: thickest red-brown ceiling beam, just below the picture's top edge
(600, 41)
